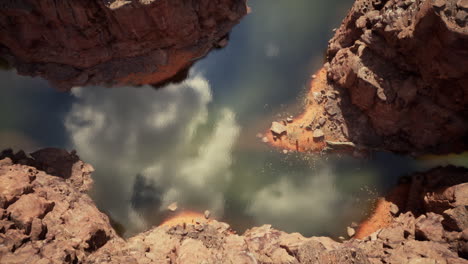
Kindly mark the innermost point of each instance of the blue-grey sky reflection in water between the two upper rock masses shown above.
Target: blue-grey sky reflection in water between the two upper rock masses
(272, 53)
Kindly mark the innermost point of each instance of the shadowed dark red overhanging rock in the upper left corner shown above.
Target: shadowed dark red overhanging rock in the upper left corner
(115, 42)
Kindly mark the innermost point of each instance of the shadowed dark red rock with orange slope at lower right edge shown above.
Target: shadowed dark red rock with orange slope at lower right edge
(443, 191)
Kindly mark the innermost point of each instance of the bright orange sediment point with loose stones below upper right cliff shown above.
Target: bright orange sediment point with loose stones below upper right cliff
(298, 137)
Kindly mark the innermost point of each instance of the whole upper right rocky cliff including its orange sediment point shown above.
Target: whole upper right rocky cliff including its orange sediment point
(396, 78)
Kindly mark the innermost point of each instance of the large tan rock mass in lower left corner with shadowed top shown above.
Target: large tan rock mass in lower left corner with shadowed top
(46, 215)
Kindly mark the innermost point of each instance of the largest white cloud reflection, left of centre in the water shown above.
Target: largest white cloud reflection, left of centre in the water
(161, 135)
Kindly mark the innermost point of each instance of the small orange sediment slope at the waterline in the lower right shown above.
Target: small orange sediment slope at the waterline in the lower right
(381, 216)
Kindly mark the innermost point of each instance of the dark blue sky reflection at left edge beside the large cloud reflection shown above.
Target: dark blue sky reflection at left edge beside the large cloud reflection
(31, 113)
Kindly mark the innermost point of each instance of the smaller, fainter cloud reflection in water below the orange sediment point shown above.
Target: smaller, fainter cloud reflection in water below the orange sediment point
(309, 204)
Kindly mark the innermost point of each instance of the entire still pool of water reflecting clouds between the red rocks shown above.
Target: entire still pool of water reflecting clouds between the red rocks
(196, 143)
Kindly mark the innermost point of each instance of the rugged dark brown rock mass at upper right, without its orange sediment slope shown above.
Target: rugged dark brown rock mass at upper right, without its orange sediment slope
(405, 66)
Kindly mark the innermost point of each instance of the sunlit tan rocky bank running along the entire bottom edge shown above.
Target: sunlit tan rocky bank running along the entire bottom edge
(47, 217)
